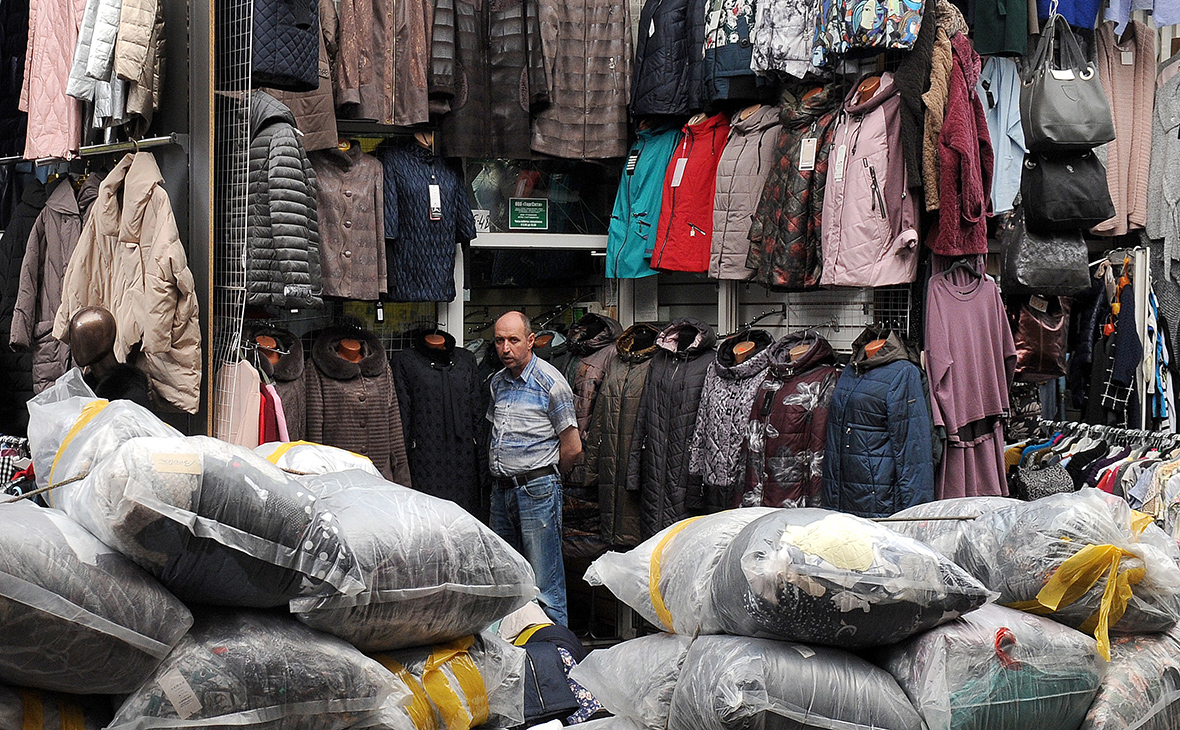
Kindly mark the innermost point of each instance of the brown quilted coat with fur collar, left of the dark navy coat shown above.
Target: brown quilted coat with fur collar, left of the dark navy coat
(353, 405)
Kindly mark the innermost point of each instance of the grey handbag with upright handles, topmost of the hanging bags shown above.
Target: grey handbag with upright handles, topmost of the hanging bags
(1063, 103)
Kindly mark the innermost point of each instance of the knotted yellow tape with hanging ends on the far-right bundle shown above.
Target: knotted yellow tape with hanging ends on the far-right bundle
(1077, 576)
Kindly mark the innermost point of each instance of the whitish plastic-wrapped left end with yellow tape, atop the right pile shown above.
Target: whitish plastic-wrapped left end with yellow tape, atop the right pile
(684, 557)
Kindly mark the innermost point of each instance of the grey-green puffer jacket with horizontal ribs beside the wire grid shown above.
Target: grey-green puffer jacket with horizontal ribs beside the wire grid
(283, 248)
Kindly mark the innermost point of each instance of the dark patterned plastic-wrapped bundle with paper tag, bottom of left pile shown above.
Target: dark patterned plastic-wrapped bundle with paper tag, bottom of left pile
(264, 672)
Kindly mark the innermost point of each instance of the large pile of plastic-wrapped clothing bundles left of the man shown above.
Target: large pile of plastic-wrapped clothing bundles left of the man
(205, 586)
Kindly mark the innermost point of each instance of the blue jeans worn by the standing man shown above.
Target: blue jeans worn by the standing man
(530, 519)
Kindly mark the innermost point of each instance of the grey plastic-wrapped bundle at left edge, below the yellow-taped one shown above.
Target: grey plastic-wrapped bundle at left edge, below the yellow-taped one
(75, 615)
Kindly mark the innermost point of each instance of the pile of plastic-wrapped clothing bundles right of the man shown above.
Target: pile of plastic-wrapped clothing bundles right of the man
(1054, 615)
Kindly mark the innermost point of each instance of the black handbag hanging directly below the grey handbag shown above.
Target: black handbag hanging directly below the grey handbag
(1065, 192)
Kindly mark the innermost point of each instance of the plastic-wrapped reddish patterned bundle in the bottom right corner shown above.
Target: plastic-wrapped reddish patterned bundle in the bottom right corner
(1142, 688)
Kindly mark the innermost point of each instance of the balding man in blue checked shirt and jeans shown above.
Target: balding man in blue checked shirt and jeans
(535, 440)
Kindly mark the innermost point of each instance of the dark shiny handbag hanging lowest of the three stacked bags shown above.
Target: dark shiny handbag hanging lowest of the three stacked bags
(1054, 265)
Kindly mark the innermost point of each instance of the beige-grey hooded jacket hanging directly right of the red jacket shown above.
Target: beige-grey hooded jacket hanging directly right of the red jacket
(742, 173)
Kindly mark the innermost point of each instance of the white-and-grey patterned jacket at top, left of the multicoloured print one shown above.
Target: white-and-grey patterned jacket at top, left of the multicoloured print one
(784, 31)
